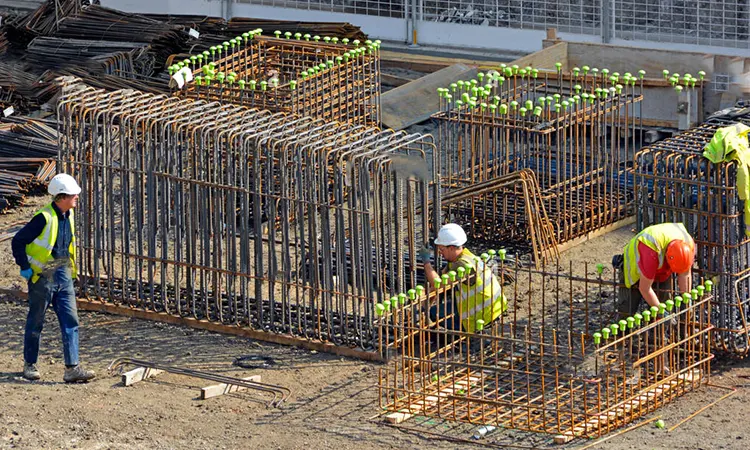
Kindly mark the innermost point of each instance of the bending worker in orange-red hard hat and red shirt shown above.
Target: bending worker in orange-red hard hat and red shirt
(652, 256)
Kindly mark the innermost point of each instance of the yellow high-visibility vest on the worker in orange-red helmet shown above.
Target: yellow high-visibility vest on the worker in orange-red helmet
(657, 238)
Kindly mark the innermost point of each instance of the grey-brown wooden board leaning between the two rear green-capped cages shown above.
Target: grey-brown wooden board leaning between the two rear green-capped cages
(416, 101)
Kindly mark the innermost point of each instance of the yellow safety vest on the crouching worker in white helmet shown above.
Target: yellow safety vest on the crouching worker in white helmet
(483, 299)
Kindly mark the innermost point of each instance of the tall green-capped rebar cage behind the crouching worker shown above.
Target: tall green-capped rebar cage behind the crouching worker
(576, 131)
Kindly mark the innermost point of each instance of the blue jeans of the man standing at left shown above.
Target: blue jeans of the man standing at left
(55, 289)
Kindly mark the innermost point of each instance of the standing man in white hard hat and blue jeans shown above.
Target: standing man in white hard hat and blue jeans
(45, 250)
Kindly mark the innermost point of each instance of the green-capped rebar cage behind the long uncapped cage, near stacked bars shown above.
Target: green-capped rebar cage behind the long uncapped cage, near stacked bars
(332, 79)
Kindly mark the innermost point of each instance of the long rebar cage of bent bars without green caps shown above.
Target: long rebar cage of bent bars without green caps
(242, 217)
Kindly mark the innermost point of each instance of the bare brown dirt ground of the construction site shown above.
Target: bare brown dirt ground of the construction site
(333, 403)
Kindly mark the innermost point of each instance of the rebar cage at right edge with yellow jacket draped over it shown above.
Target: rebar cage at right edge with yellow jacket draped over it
(675, 183)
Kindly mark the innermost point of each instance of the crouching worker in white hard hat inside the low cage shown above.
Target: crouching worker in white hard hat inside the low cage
(479, 299)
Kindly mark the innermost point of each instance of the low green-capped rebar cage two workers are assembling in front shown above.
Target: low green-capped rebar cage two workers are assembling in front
(550, 363)
